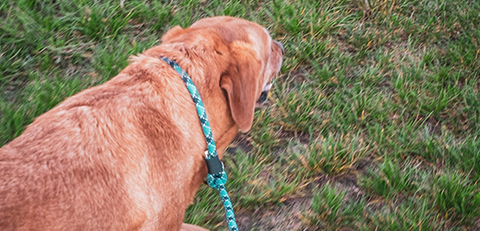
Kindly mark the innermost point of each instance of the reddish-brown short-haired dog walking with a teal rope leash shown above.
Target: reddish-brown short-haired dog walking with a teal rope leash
(129, 154)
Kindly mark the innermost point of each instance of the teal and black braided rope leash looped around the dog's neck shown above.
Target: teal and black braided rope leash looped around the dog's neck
(216, 177)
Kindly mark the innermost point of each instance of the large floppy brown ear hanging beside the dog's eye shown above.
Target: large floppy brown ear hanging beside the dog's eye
(241, 84)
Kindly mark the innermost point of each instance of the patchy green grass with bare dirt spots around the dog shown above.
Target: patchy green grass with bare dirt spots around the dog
(373, 123)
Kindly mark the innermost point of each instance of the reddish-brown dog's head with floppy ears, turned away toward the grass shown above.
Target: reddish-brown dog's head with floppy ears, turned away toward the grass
(254, 59)
